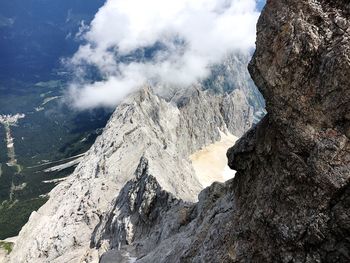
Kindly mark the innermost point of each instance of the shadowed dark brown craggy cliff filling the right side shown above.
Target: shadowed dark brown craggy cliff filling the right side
(292, 189)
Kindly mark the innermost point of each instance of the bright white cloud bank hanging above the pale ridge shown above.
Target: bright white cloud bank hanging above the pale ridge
(174, 42)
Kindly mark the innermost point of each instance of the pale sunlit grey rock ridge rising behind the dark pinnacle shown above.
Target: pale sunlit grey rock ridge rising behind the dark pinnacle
(144, 126)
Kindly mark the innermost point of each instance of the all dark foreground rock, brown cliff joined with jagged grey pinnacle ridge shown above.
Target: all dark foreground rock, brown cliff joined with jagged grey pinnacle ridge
(289, 200)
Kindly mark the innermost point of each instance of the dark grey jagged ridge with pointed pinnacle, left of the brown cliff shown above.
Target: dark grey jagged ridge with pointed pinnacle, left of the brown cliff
(168, 230)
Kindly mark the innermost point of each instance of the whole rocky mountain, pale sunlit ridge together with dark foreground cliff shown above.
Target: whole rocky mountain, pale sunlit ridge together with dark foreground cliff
(133, 197)
